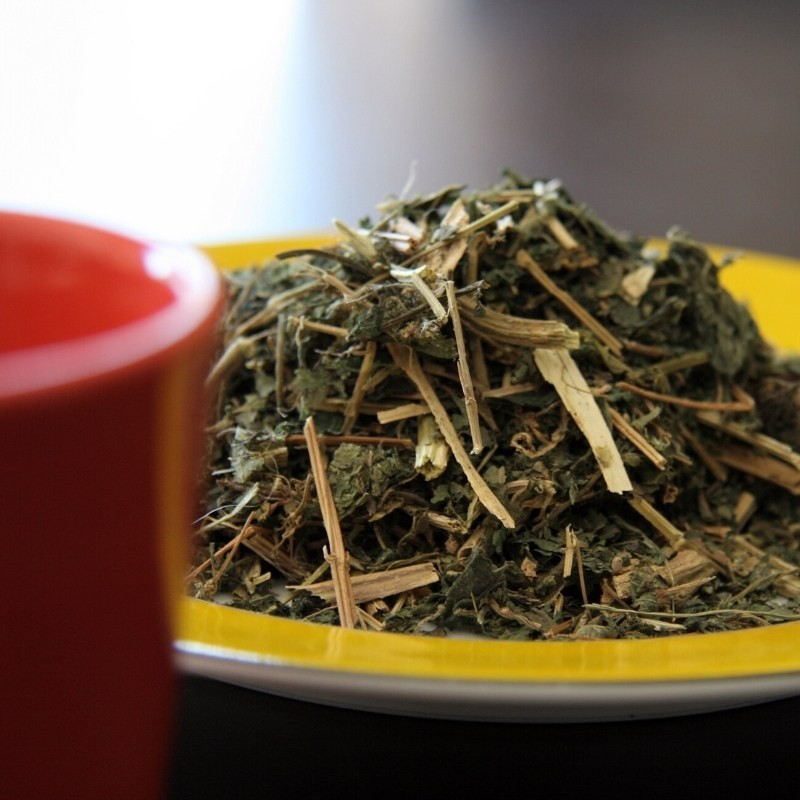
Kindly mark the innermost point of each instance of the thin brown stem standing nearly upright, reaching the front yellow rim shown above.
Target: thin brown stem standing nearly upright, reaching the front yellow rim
(337, 555)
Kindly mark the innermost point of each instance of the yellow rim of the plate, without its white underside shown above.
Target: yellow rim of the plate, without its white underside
(772, 650)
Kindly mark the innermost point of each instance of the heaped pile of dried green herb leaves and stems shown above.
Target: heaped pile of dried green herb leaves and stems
(487, 411)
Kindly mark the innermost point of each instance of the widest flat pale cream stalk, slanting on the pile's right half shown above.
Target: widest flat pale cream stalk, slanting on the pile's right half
(559, 369)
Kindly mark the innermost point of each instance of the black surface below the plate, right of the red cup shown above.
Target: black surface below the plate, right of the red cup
(238, 743)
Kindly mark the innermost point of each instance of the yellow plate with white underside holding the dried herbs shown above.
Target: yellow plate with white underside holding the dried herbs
(507, 681)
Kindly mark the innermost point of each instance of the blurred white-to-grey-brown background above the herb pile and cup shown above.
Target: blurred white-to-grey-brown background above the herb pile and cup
(211, 122)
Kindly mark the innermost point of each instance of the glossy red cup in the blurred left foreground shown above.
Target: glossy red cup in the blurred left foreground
(104, 346)
